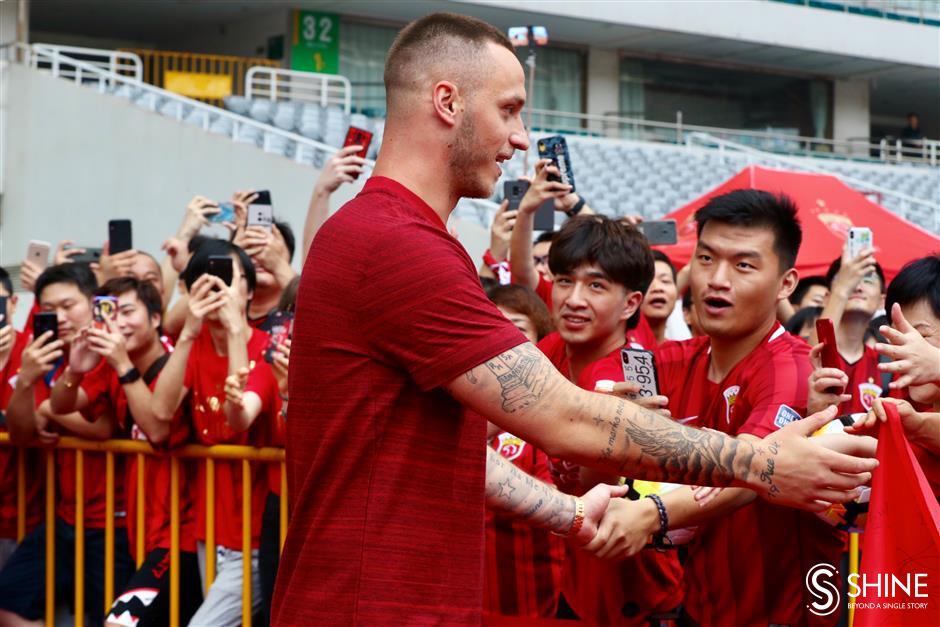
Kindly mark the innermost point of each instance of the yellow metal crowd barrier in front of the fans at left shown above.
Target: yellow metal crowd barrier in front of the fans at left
(143, 450)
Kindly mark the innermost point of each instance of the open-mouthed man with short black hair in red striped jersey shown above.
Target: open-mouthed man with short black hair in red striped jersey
(747, 378)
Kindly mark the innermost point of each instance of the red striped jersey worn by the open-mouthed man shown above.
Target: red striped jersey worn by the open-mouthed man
(748, 567)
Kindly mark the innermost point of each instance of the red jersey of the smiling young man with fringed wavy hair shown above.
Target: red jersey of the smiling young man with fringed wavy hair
(600, 591)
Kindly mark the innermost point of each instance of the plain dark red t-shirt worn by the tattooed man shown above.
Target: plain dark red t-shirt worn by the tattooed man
(386, 473)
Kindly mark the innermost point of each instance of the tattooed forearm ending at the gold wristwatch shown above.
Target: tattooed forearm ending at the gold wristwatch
(508, 489)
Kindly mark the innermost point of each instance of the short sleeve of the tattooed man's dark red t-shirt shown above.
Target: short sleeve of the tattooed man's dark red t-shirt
(428, 313)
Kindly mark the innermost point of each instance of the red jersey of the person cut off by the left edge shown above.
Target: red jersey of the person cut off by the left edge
(32, 464)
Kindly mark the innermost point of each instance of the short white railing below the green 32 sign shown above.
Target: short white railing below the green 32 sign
(277, 84)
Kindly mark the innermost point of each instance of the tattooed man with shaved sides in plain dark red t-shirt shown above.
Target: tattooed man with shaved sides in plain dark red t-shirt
(393, 335)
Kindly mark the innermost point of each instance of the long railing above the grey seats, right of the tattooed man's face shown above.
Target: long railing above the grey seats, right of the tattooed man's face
(861, 148)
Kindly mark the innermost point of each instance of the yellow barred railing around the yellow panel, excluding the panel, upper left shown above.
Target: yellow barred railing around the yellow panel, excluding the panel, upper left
(159, 63)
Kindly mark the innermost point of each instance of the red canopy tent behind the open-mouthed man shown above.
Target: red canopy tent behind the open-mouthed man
(827, 209)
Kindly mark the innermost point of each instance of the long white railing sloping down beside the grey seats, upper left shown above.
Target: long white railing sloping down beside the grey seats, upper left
(154, 98)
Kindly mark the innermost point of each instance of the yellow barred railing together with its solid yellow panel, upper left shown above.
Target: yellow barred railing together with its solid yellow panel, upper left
(205, 77)
